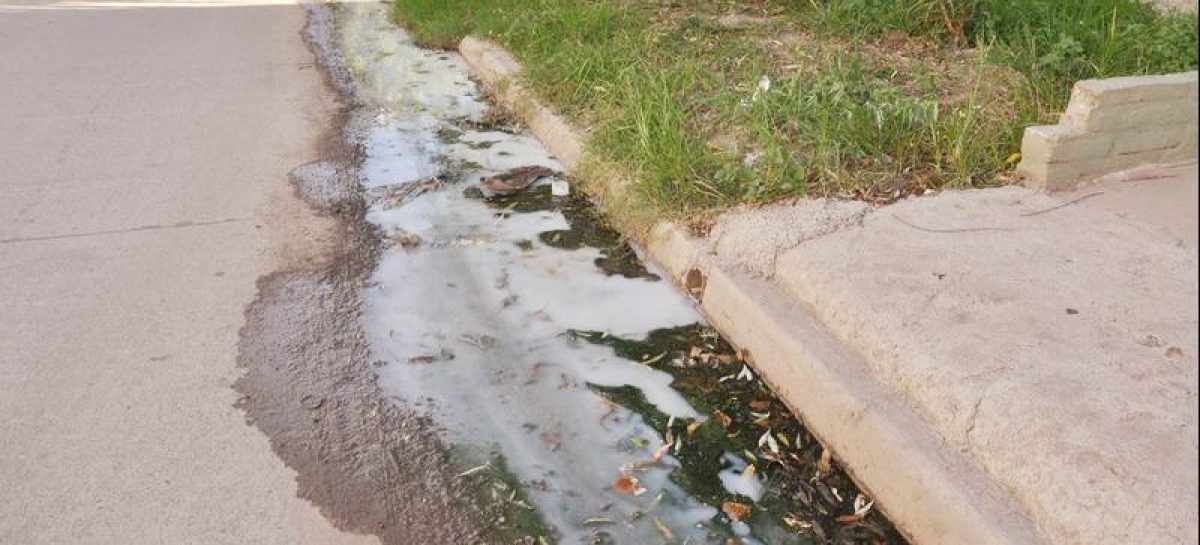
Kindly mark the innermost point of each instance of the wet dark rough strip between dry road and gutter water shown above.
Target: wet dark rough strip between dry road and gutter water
(370, 466)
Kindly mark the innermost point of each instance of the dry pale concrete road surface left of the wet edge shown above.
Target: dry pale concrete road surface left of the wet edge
(145, 152)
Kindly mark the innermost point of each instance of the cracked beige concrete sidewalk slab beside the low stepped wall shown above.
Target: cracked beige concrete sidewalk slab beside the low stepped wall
(1049, 342)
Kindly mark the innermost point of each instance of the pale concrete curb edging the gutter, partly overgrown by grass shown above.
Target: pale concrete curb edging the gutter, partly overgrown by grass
(929, 490)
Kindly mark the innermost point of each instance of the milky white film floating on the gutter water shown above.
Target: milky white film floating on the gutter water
(473, 328)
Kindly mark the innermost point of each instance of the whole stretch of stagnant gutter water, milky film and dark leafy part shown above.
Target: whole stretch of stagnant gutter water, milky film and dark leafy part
(542, 345)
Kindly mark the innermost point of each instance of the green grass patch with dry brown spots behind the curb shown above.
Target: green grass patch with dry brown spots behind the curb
(712, 104)
